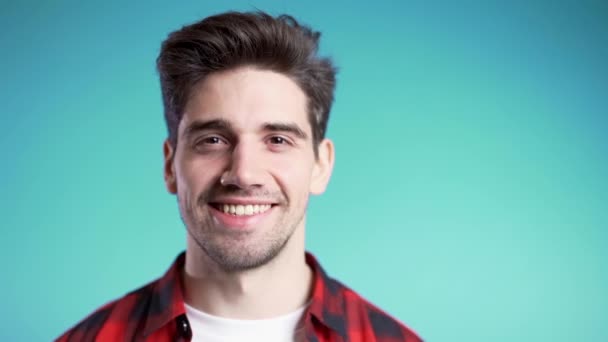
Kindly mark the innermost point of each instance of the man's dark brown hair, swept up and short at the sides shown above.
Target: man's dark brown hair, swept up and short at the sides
(233, 39)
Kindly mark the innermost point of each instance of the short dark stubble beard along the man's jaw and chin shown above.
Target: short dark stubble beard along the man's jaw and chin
(238, 251)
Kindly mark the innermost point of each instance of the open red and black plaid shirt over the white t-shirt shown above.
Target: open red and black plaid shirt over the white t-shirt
(156, 313)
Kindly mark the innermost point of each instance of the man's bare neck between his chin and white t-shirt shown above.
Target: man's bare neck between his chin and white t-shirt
(277, 288)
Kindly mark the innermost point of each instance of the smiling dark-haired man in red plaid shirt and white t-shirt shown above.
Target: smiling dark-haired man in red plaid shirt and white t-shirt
(247, 102)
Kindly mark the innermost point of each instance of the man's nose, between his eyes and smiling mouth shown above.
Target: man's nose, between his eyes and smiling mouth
(245, 170)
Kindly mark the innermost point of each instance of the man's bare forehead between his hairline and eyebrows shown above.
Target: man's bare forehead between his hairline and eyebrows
(247, 98)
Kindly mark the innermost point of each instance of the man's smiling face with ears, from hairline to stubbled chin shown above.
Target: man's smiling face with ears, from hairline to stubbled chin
(244, 166)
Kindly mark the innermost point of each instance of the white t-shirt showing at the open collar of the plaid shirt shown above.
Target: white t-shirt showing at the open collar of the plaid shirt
(209, 328)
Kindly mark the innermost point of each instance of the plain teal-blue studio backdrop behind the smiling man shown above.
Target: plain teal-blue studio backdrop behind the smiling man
(469, 197)
